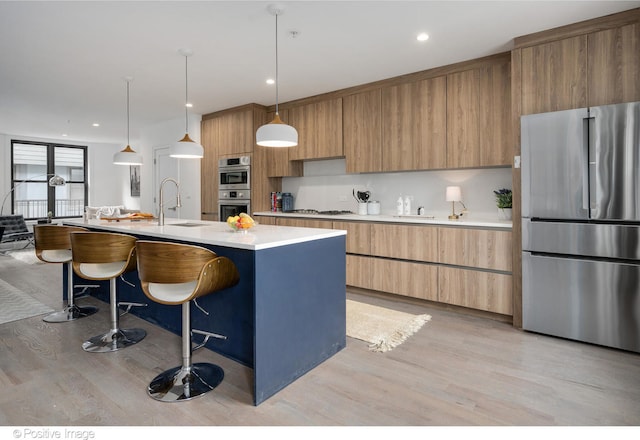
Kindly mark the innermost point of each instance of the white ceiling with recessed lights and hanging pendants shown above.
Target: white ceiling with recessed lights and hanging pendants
(63, 63)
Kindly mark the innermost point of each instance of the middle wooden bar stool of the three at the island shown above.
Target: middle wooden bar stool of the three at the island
(107, 256)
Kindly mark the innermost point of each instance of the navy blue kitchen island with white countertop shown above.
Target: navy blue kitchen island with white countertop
(285, 316)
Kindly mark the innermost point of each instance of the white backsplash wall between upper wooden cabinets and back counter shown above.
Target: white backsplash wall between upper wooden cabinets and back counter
(326, 186)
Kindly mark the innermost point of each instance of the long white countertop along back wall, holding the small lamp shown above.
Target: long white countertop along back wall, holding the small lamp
(472, 222)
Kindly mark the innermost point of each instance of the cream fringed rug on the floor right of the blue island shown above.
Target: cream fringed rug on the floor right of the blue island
(384, 329)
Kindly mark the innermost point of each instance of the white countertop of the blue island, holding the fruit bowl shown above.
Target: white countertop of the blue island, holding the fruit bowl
(214, 233)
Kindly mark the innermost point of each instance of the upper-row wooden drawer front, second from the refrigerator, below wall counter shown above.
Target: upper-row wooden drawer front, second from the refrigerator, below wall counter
(419, 243)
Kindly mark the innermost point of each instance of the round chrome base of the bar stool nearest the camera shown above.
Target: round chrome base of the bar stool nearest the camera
(185, 383)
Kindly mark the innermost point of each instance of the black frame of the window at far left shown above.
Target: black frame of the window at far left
(50, 170)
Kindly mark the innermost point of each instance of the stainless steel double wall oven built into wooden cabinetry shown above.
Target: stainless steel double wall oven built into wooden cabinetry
(234, 186)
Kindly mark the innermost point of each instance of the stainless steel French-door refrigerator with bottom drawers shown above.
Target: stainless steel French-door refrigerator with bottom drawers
(581, 224)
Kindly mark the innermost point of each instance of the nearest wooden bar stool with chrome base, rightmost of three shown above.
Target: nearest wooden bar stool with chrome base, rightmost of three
(172, 273)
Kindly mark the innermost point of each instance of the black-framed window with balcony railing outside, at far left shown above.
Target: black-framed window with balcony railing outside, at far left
(33, 164)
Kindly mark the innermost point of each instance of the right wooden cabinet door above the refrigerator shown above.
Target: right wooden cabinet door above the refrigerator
(614, 65)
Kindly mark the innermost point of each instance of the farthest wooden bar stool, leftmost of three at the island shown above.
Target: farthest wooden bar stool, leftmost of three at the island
(53, 245)
